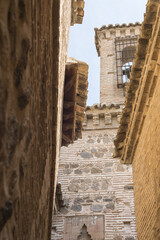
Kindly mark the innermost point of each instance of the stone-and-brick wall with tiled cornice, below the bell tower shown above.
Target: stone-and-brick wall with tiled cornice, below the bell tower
(97, 190)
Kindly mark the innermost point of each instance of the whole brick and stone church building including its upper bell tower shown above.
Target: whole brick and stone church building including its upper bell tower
(96, 199)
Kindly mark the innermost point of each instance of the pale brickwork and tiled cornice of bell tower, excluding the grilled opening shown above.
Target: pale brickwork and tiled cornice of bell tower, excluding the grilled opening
(105, 44)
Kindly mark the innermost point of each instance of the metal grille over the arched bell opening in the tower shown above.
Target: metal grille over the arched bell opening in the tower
(125, 48)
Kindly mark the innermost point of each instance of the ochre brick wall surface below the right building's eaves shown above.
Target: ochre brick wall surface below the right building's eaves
(146, 167)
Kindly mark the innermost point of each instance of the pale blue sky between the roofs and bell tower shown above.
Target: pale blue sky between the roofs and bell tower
(98, 13)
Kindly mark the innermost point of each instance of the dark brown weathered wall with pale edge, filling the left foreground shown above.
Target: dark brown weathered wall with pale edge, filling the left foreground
(33, 49)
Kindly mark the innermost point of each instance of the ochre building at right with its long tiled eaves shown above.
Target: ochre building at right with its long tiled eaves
(137, 140)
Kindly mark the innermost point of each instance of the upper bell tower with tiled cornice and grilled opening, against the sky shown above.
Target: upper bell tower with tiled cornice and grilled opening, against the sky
(116, 47)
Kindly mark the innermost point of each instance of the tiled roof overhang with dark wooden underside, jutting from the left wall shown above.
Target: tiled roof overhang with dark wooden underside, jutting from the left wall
(75, 96)
